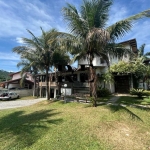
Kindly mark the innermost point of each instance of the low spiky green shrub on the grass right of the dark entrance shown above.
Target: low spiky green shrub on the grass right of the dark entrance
(139, 92)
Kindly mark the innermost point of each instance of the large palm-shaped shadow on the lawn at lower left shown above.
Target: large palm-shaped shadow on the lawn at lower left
(26, 129)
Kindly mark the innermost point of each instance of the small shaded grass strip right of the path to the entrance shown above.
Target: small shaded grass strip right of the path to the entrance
(129, 100)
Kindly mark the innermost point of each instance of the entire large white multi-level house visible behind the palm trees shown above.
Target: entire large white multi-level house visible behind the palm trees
(77, 78)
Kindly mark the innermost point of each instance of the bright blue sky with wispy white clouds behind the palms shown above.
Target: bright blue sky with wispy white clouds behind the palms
(18, 15)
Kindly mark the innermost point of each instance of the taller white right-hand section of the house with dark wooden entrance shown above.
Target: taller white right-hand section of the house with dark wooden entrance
(122, 83)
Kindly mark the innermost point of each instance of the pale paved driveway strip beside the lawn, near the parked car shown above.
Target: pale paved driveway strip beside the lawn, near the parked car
(18, 103)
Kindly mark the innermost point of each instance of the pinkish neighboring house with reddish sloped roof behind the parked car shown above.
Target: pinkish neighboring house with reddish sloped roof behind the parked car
(14, 83)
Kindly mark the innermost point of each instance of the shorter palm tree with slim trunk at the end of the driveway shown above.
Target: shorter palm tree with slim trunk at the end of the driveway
(39, 52)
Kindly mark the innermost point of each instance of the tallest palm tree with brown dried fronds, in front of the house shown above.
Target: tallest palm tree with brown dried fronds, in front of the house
(89, 28)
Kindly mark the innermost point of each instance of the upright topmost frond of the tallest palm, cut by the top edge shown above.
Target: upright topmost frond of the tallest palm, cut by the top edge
(95, 12)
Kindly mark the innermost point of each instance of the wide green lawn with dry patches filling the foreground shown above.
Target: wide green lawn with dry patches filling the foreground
(73, 126)
